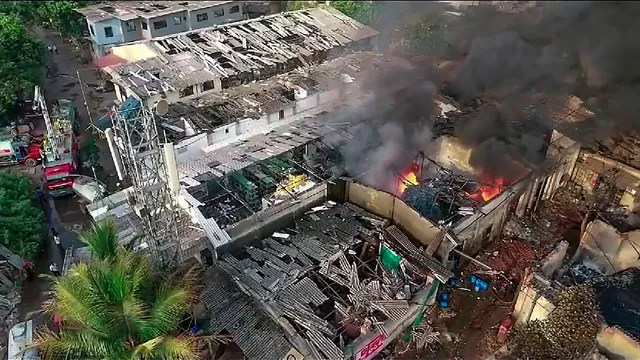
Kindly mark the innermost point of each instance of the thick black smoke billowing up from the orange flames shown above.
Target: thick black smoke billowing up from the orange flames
(516, 63)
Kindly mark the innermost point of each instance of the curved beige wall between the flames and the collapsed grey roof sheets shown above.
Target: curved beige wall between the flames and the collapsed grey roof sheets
(390, 207)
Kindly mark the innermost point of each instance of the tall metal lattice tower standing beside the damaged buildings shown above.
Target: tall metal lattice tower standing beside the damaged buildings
(144, 163)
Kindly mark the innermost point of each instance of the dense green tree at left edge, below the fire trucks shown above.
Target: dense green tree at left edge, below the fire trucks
(21, 218)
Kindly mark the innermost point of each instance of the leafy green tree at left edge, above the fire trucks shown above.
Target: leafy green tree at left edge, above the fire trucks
(21, 61)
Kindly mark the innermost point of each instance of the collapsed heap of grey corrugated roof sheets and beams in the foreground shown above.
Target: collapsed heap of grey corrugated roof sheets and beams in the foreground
(339, 275)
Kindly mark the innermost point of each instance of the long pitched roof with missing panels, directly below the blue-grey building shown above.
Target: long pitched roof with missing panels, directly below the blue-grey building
(236, 53)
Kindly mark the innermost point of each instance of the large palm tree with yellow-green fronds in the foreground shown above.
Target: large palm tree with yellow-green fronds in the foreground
(117, 306)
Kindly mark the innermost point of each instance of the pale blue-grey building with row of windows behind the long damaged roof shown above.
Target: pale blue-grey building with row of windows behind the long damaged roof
(115, 23)
